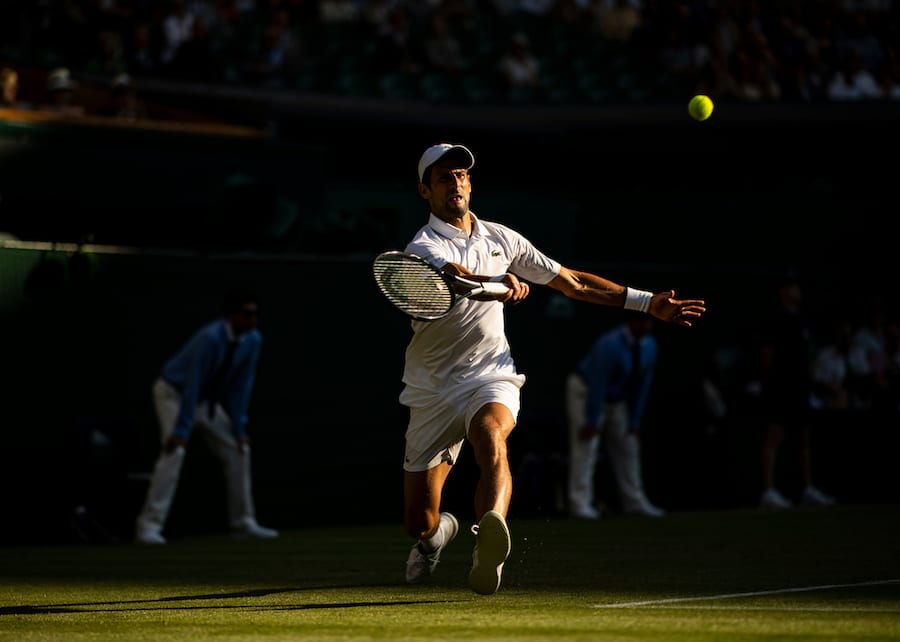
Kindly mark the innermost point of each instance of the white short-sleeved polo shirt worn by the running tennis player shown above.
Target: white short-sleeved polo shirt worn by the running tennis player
(469, 345)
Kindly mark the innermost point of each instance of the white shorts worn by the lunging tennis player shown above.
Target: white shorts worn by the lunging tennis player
(438, 423)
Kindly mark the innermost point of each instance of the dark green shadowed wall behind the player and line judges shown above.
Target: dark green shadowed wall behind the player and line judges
(655, 202)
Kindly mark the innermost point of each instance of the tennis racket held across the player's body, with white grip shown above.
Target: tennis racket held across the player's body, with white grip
(420, 289)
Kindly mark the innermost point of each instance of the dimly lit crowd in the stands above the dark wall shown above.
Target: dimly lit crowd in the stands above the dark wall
(471, 51)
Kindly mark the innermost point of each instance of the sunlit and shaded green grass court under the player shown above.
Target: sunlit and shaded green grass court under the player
(801, 574)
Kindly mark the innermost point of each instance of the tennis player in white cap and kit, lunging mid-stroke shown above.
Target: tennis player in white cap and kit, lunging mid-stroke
(460, 380)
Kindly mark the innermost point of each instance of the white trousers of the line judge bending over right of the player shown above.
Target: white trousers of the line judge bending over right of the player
(623, 449)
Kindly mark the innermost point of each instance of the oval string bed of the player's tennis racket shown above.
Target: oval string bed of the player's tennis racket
(414, 287)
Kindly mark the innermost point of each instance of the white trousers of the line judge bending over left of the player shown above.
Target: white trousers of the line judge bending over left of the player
(217, 433)
